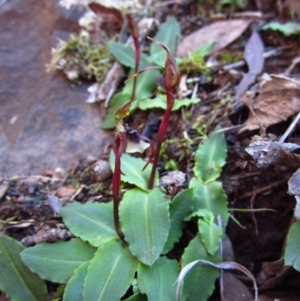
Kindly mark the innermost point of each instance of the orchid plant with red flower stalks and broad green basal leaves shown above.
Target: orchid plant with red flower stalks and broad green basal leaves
(120, 250)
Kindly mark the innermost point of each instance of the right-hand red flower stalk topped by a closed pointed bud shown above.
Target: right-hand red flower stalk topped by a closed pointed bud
(171, 79)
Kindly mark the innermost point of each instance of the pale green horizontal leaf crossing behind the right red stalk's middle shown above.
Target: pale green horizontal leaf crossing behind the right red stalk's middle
(160, 102)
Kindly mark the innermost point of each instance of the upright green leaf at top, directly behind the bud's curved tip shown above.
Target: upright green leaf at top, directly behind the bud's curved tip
(169, 34)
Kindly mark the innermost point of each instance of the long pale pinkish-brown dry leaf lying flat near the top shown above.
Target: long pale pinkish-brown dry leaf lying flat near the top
(222, 33)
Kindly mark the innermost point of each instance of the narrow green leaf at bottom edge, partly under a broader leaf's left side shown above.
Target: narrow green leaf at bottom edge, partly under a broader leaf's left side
(74, 287)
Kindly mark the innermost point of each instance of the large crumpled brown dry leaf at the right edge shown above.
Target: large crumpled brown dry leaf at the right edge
(278, 99)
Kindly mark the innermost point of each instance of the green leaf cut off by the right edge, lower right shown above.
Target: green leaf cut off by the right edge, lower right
(292, 249)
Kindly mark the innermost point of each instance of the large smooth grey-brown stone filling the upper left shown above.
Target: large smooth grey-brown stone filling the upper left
(44, 120)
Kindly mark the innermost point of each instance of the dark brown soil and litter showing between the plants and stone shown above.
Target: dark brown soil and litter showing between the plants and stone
(28, 203)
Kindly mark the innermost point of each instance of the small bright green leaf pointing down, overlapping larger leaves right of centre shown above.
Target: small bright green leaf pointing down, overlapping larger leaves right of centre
(211, 236)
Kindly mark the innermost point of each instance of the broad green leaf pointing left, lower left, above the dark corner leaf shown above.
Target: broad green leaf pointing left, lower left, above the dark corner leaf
(56, 262)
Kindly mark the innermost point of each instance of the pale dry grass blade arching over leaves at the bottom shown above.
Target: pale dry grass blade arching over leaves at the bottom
(221, 265)
